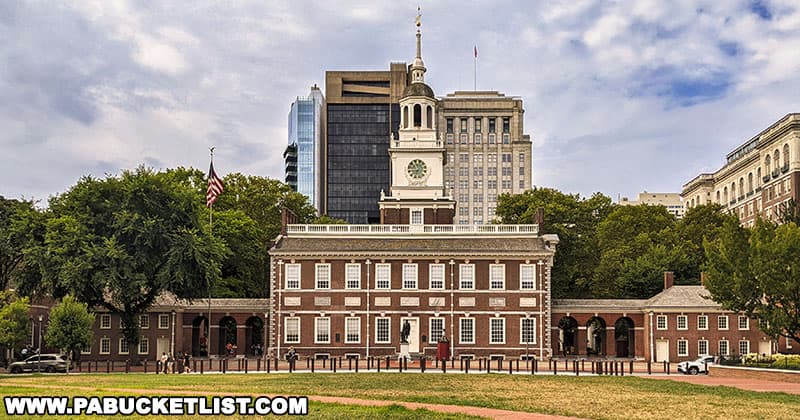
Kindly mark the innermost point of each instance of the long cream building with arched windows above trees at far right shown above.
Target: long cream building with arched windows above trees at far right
(760, 177)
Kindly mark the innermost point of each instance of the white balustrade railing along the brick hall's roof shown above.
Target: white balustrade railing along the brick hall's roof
(411, 229)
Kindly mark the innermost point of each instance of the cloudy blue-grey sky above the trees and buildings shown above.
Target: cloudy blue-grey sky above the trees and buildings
(619, 97)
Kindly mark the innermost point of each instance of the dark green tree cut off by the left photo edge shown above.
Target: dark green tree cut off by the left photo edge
(21, 231)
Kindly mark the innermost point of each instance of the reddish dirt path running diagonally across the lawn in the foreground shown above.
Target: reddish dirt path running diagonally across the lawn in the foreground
(443, 408)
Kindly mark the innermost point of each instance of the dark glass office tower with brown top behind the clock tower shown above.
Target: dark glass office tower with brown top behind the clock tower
(362, 112)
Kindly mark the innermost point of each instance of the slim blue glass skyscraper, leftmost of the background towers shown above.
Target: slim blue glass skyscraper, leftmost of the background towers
(303, 155)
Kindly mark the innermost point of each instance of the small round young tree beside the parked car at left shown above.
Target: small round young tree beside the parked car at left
(70, 327)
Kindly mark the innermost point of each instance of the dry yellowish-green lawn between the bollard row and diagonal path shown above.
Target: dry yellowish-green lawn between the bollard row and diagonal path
(588, 397)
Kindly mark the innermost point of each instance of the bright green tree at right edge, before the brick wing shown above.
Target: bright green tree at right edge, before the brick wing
(757, 272)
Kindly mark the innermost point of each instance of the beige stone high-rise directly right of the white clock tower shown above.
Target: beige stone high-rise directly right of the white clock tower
(488, 153)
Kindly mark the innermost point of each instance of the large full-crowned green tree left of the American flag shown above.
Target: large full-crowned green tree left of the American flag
(120, 242)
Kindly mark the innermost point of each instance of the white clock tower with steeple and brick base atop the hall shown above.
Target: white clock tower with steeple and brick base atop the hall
(417, 156)
